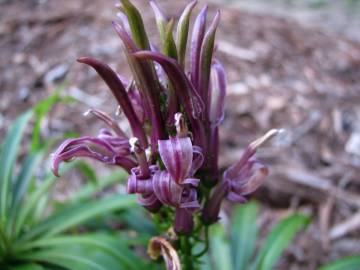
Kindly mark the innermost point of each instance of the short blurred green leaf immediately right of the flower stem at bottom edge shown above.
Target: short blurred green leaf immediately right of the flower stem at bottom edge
(220, 248)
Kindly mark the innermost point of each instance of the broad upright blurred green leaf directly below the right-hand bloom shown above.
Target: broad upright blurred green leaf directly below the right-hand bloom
(243, 234)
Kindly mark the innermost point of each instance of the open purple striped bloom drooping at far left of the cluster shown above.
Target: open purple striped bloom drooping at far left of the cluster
(105, 148)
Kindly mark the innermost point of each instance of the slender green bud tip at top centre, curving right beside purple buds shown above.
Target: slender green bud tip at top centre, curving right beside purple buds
(182, 32)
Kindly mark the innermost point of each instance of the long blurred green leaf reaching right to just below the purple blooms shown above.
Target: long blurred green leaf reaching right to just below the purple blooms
(74, 215)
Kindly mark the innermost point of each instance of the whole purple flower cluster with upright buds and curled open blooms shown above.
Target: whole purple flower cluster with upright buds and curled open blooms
(174, 115)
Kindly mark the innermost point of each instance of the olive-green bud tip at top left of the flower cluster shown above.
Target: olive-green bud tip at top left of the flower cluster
(136, 25)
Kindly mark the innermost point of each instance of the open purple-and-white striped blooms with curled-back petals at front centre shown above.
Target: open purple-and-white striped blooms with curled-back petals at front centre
(175, 186)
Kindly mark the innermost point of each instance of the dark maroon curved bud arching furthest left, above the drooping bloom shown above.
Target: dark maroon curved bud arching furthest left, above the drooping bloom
(118, 90)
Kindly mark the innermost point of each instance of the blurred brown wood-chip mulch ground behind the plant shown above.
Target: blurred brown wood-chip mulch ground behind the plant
(291, 64)
